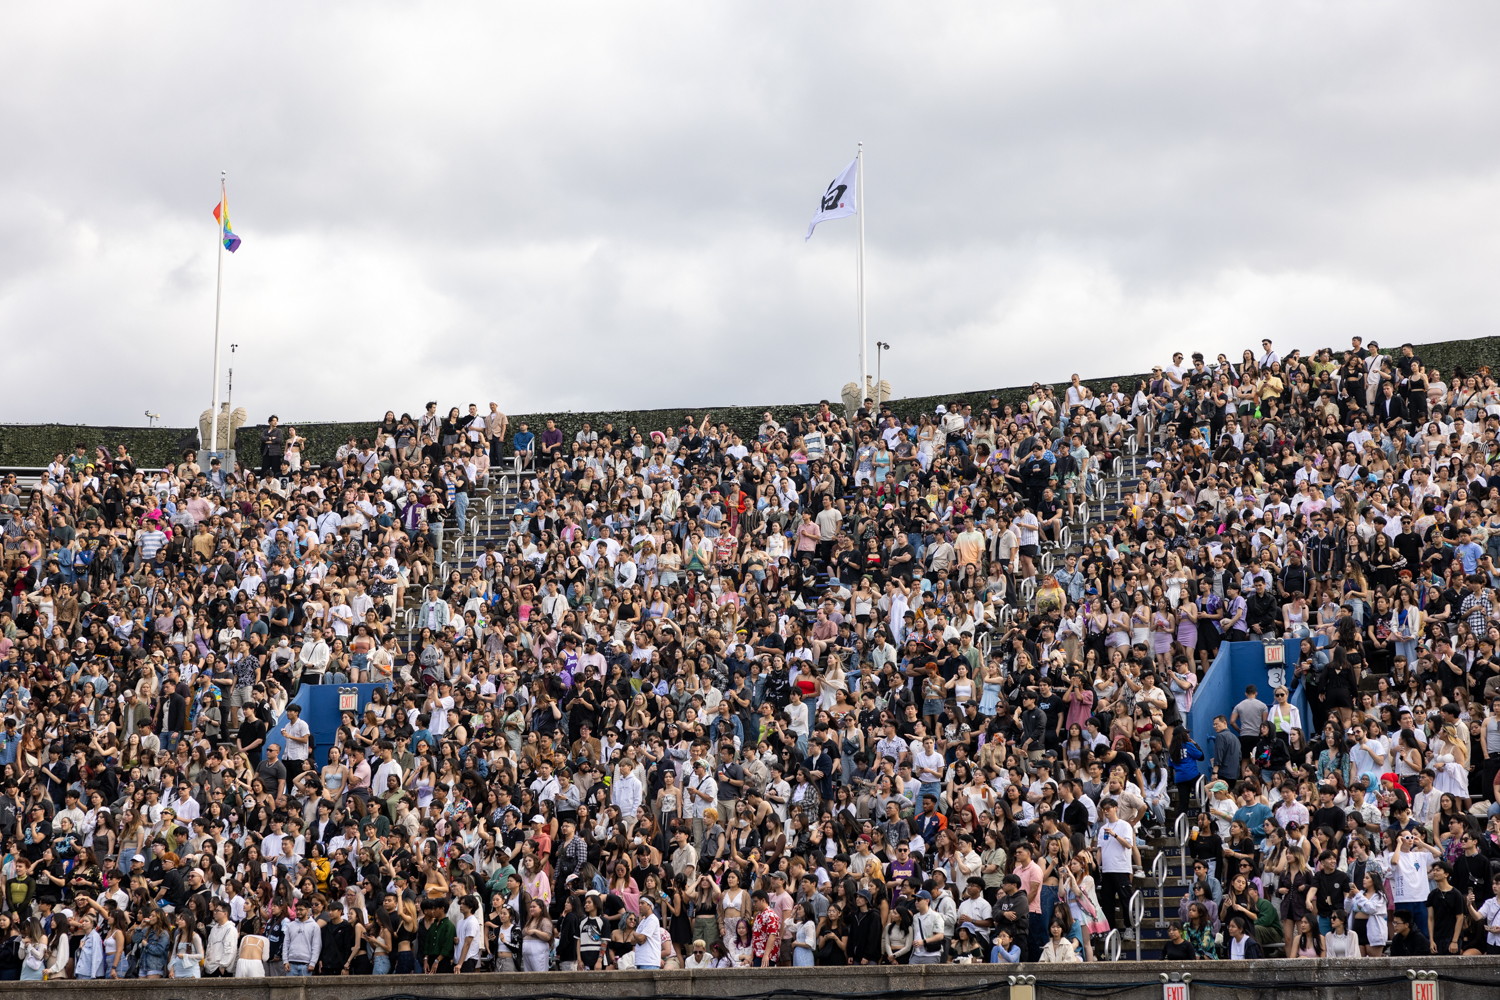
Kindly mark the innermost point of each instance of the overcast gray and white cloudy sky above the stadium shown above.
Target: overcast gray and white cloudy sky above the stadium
(602, 206)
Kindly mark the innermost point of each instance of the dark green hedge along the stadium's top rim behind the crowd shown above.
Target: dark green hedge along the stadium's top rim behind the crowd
(37, 445)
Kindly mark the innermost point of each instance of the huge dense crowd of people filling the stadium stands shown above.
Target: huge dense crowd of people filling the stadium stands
(853, 689)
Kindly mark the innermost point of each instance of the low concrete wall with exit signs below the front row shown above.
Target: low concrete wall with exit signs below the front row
(1318, 980)
